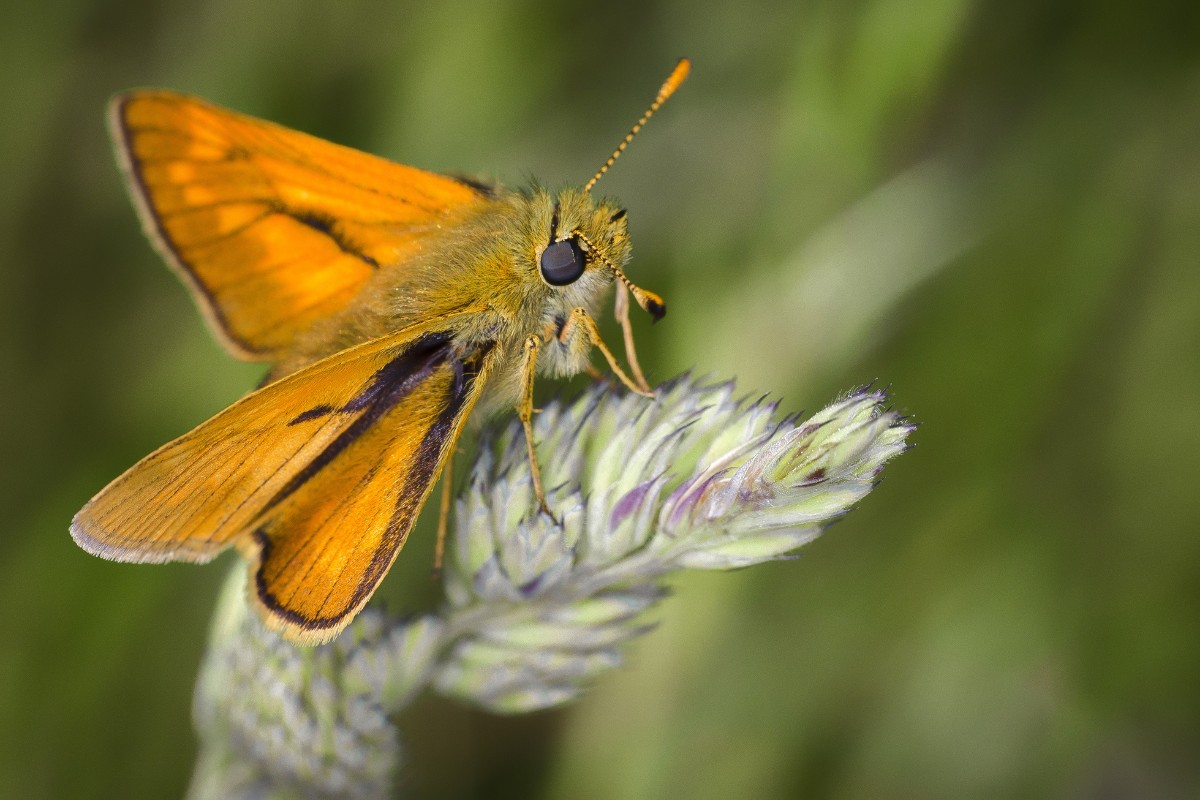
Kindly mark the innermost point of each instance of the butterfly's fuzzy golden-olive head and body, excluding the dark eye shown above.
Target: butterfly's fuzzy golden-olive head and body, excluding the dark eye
(487, 257)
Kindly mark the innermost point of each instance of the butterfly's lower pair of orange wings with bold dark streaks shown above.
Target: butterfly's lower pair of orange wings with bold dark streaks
(317, 478)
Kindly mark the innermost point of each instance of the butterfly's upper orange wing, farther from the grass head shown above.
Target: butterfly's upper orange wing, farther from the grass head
(274, 230)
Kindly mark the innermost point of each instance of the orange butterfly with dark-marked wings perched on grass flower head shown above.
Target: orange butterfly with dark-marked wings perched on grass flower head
(392, 304)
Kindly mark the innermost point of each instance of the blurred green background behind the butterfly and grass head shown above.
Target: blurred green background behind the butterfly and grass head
(994, 207)
